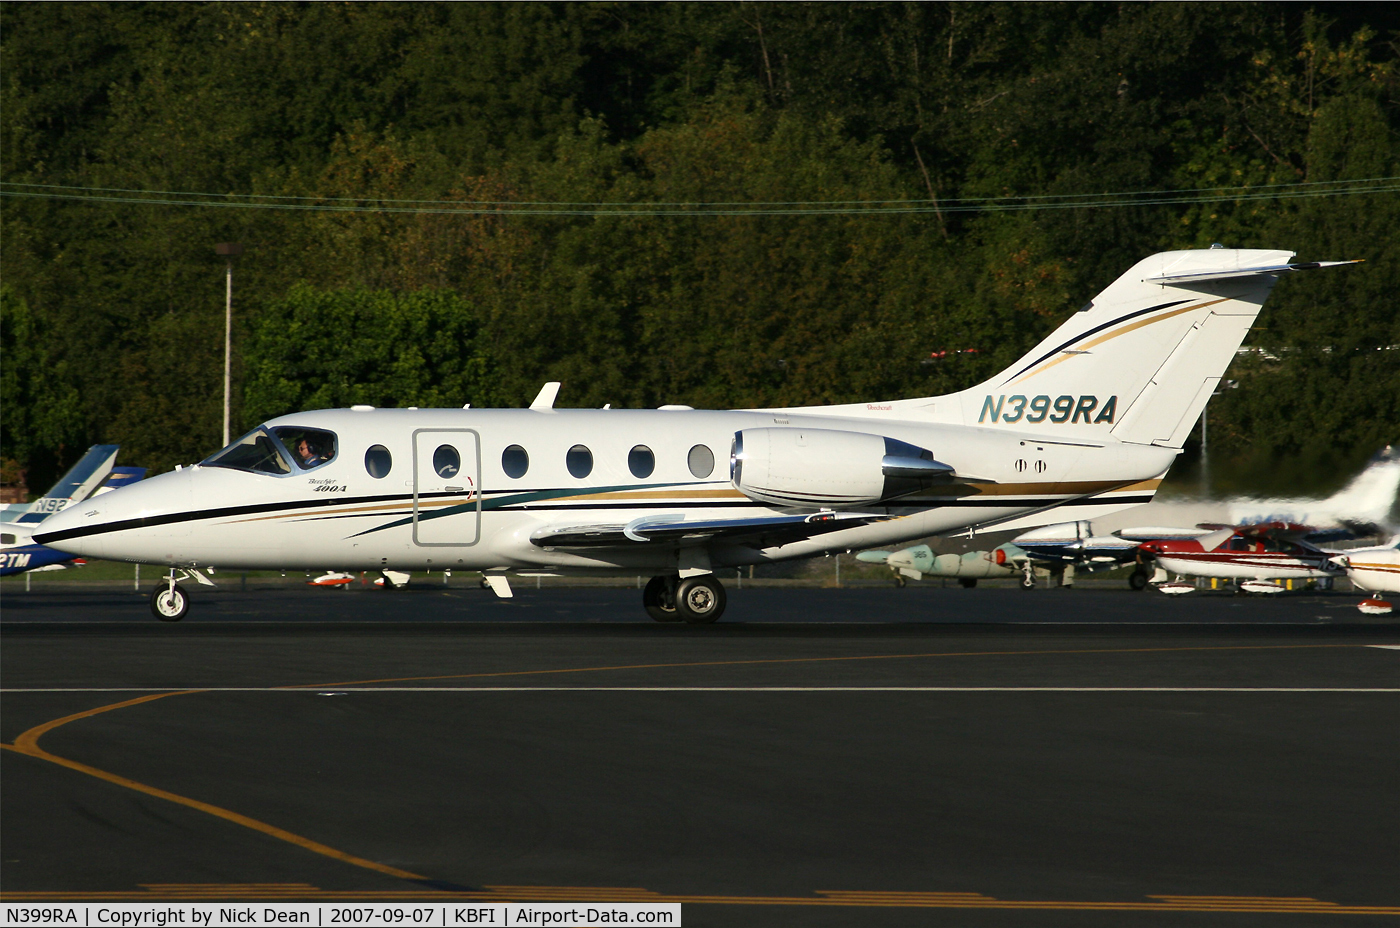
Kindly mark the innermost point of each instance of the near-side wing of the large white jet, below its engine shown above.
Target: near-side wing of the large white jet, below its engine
(765, 531)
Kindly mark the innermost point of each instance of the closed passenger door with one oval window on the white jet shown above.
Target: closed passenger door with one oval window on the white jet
(447, 498)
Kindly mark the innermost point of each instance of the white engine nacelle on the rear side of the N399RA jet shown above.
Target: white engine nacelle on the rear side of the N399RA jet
(825, 468)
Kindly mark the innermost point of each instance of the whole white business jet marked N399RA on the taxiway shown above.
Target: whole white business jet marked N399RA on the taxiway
(1087, 422)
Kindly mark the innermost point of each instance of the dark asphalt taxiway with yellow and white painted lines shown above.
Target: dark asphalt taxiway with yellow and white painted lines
(892, 759)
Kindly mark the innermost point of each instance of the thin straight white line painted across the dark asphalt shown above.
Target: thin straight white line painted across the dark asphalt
(345, 691)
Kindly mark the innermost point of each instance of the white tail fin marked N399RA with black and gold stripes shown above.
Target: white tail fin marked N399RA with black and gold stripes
(1142, 359)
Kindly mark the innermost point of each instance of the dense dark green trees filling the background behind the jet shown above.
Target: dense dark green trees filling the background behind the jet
(113, 311)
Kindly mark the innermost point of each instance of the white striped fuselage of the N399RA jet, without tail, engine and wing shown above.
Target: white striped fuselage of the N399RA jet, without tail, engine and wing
(475, 491)
